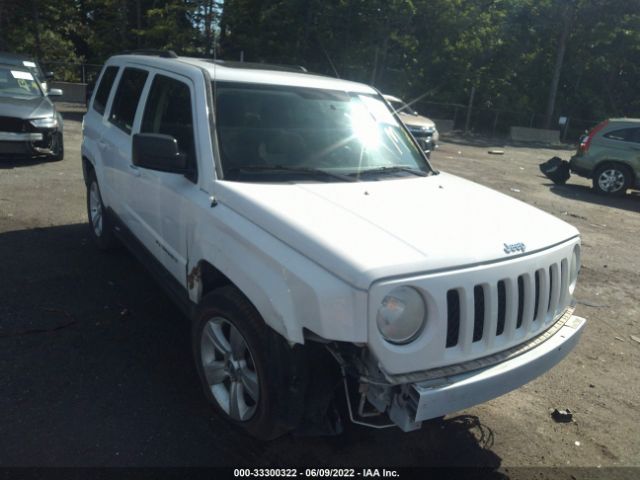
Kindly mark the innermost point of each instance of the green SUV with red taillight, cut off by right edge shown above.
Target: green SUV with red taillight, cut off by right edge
(610, 155)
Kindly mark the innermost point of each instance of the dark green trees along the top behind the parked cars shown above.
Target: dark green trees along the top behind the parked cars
(553, 57)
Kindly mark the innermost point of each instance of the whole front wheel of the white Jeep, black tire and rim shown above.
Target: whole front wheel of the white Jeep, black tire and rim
(249, 374)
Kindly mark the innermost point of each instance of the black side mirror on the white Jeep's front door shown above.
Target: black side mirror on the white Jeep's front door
(158, 152)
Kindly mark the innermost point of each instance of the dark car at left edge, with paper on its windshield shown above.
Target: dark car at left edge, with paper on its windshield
(30, 125)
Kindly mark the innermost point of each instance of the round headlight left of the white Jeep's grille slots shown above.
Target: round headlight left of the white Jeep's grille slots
(402, 315)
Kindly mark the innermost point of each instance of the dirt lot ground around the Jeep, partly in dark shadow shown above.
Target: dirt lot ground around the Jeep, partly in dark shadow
(95, 362)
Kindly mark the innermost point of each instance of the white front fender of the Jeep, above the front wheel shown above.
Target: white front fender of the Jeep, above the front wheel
(290, 291)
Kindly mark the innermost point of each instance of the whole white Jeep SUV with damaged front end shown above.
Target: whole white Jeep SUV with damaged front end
(325, 265)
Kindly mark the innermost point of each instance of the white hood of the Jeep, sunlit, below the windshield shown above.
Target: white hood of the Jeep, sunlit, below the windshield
(365, 231)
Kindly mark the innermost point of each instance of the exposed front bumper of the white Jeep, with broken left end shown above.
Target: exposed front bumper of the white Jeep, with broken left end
(408, 400)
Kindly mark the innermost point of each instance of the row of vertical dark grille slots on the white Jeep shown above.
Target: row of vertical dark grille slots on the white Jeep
(510, 307)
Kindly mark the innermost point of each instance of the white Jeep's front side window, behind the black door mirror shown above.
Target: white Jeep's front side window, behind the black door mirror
(168, 111)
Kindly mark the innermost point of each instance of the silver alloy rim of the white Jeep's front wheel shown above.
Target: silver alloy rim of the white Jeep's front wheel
(229, 369)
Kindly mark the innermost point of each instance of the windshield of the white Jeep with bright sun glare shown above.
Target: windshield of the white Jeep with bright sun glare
(274, 131)
